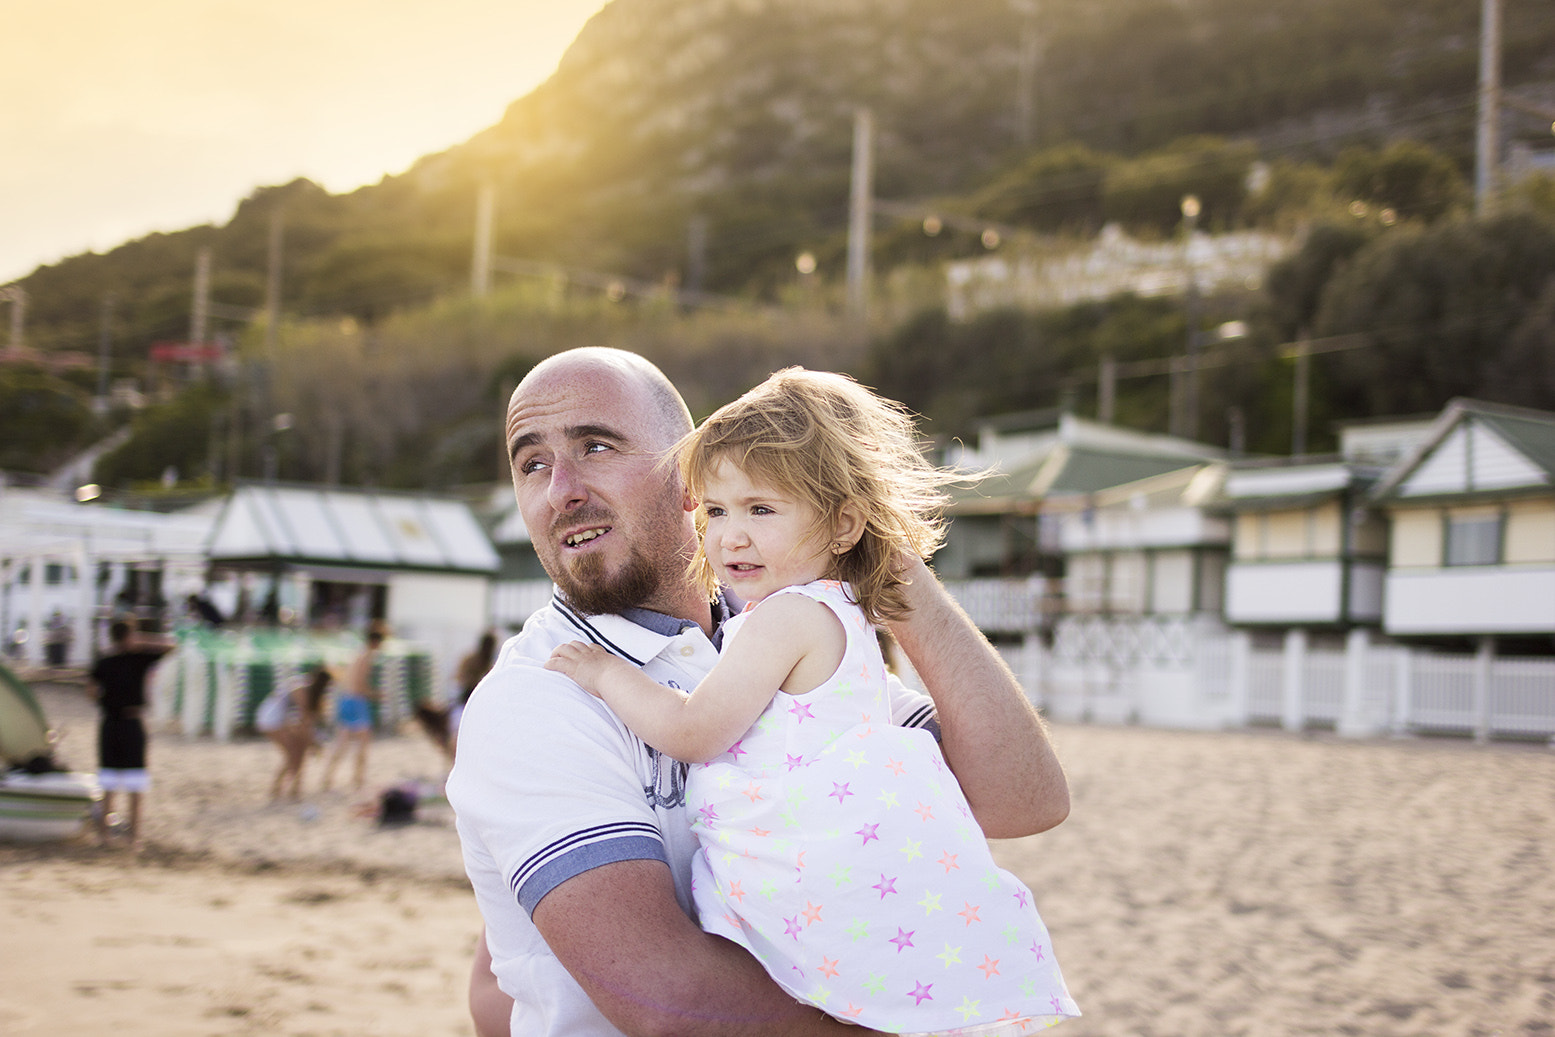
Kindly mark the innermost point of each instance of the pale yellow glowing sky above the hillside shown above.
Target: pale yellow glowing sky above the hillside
(122, 117)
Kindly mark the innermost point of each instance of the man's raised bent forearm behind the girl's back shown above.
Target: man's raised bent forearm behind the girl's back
(991, 735)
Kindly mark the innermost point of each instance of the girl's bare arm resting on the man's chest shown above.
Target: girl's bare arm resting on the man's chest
(784, 644)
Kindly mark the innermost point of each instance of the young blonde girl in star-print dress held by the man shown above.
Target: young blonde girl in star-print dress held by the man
(834, 847)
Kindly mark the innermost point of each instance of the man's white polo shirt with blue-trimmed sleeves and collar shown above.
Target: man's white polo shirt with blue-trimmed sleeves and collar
(550, 784)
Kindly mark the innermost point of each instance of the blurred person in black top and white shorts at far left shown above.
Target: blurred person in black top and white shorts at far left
(119, 685)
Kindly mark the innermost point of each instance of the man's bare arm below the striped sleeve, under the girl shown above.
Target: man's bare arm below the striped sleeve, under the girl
(651, 971)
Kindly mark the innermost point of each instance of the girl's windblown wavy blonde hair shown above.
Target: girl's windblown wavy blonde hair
(831, 442)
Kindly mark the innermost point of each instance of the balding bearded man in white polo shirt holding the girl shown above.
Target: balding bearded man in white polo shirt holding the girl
(575, 833)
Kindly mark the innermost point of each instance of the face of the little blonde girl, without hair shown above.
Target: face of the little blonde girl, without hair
(760, 540)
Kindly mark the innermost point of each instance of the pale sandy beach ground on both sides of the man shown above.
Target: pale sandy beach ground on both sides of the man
(1243, 884)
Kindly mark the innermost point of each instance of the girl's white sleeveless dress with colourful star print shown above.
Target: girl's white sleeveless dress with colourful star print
(840, 851)
